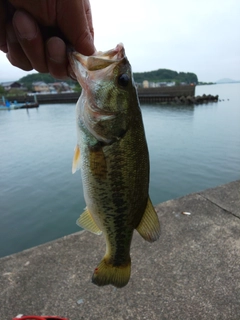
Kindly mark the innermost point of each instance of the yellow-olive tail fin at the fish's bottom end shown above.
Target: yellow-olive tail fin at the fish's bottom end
(106, 274)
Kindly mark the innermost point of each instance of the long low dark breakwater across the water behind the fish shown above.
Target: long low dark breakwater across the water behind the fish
(176, 95)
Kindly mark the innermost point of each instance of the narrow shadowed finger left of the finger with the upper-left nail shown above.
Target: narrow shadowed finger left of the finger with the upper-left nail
(15, 54)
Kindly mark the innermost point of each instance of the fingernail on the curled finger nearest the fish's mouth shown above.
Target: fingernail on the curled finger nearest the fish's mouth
(56, 50)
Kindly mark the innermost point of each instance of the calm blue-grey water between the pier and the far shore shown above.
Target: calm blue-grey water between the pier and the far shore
(191, 148)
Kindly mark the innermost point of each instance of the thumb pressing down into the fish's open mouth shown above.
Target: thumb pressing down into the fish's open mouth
(73, 22)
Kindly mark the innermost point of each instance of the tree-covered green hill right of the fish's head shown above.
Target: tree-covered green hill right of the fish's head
(165, 75)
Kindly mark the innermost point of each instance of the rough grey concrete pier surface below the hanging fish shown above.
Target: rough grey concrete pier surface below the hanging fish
(192, 272)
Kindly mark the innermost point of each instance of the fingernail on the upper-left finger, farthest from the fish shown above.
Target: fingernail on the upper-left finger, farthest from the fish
(25, 25)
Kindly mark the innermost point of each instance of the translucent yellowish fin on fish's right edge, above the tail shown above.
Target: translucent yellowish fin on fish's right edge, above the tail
(149, 226)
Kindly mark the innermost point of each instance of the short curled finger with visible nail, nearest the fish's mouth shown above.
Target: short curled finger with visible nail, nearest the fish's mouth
(57, 58)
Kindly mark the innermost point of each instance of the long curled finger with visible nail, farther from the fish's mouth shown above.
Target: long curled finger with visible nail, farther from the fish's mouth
(30, 39)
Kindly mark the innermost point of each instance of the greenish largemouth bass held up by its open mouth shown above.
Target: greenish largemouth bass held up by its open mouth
(113, 156)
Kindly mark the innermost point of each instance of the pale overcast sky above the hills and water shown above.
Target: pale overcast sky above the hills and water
(189, 35)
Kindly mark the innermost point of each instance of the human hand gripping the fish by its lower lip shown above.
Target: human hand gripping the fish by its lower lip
(34, 33)
